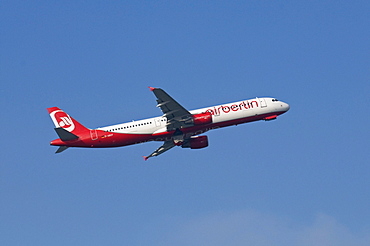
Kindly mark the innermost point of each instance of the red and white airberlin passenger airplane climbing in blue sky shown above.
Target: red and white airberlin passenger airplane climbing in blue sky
(176, 127)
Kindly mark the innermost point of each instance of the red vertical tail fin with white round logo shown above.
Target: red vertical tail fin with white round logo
(63, 120)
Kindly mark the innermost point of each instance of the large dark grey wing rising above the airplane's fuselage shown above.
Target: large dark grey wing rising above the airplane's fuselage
(177, 116)
